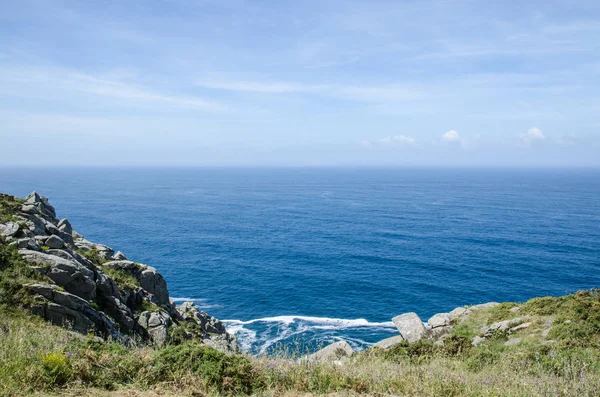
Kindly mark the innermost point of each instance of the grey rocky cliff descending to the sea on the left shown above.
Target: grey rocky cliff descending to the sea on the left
(90, 288)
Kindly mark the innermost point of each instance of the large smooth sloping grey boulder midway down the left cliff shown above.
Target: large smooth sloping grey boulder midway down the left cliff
(71, 275)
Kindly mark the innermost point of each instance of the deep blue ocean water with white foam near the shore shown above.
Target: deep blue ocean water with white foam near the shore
(314, 255)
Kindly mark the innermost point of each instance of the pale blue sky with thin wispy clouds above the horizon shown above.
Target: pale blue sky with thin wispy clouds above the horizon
(300, 83)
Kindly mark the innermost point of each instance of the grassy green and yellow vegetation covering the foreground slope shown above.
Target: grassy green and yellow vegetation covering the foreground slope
(38, 357)
